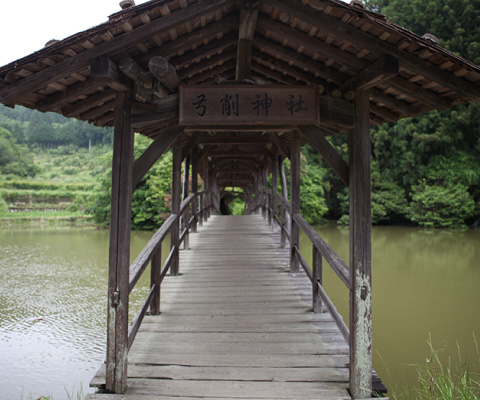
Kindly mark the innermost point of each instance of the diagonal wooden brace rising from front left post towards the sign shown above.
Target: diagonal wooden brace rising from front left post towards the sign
(157, 148)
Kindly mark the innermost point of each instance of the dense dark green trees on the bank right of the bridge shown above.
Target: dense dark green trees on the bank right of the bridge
(426, 170)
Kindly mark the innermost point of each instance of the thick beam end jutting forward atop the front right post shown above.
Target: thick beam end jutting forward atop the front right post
(385, 68)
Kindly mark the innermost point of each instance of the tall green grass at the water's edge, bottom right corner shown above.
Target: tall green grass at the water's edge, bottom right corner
(454, 380)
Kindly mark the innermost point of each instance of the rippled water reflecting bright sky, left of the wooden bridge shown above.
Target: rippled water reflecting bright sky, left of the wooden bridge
(52, 309)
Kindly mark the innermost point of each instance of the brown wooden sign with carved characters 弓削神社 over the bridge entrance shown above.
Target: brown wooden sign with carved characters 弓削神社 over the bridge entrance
(248, 104)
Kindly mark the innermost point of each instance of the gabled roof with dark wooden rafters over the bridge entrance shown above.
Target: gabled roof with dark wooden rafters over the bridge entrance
(327, 43)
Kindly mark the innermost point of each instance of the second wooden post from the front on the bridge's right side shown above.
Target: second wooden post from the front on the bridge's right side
(295, 199)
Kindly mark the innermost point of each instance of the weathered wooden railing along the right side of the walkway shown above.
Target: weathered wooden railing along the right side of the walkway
(276, 208)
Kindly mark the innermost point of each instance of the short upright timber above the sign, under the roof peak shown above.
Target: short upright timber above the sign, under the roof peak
(248, 23)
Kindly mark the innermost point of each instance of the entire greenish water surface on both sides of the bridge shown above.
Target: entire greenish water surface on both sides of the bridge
(53, 287)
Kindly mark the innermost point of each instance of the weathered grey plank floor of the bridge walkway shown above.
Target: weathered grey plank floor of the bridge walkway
(234, 326)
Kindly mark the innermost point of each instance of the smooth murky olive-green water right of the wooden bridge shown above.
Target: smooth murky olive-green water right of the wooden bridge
(425, 284)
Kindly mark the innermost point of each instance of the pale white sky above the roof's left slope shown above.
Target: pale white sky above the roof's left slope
(26, 25)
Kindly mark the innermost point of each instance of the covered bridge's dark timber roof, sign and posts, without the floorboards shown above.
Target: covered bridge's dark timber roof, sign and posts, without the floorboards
(234, 87)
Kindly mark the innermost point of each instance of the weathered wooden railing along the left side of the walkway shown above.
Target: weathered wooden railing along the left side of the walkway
(152, 253)
